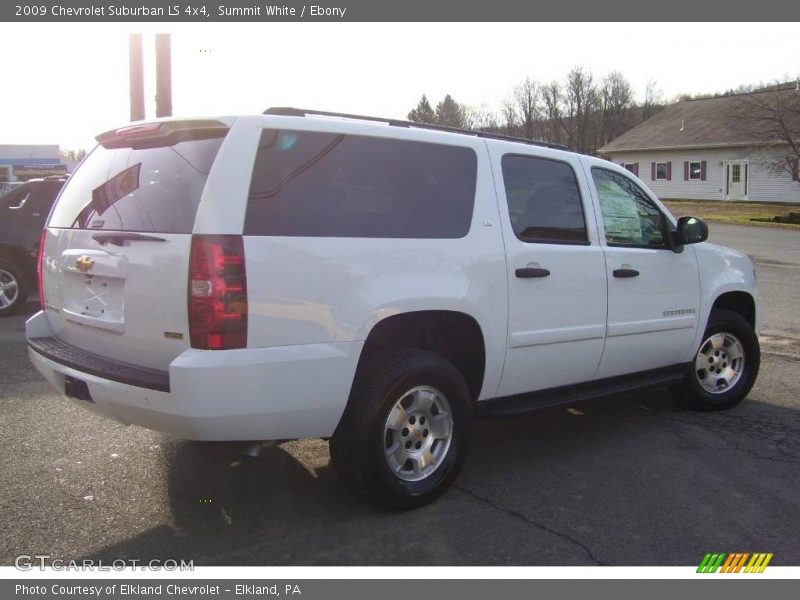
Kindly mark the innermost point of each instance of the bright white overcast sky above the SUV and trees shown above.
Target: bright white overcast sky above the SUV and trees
(65, 83)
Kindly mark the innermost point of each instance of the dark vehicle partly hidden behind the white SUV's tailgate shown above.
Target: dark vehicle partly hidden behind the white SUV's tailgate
(23, 212)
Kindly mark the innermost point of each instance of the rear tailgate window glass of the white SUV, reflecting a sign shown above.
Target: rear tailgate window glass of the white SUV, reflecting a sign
(124, 189)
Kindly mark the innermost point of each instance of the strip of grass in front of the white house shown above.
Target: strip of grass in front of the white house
(719, 211)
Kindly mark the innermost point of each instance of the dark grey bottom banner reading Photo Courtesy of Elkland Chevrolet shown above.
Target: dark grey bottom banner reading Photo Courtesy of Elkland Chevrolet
(397, 589)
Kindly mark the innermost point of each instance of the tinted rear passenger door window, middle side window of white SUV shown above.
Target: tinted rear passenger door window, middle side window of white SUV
(544, 202)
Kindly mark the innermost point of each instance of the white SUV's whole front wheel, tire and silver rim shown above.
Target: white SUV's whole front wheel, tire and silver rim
(725, 366)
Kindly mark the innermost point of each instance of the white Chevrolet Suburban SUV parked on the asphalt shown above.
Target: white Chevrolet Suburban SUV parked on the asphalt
(379, 283)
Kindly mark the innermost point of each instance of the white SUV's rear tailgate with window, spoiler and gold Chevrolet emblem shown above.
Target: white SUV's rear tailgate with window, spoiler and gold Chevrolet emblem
(118, 241)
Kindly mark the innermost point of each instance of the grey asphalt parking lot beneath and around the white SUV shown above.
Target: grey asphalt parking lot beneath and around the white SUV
(629, 480)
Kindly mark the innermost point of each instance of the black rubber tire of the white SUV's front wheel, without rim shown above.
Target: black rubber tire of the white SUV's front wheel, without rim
(693, 394)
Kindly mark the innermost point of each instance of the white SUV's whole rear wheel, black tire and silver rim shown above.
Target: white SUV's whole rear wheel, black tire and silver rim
(405, 432)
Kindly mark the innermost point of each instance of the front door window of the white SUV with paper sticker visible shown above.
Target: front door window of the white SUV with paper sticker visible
(629, 217)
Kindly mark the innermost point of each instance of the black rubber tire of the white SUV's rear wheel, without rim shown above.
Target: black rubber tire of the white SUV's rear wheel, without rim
(357, 446)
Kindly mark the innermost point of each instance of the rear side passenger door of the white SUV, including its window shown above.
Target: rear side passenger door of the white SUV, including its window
(556, 275)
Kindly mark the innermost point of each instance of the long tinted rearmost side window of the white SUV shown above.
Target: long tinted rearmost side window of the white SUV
(316, 184)
